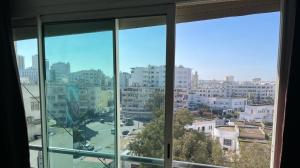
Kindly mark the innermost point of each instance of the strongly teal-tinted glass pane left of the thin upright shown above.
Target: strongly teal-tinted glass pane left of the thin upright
(80, 102)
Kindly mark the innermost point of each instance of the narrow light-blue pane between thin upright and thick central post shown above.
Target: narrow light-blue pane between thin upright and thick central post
(142, 55)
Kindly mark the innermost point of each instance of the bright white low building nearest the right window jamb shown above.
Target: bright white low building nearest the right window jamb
(258, 113)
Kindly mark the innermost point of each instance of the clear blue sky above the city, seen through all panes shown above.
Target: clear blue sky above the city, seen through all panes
(245, 46)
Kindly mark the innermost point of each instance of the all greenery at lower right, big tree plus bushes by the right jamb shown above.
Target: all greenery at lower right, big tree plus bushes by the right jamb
(192, 146)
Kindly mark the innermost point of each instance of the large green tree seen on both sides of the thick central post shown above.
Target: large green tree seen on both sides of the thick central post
(189, 145)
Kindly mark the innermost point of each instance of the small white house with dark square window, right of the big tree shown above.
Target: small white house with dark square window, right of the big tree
(227, 137)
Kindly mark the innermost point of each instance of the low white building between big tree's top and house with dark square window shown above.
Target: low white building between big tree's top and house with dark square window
(206, 127)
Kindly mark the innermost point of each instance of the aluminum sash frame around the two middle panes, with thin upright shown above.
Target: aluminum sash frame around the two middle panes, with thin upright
(158, 10)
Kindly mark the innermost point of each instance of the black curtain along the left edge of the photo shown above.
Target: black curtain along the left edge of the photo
(14, 146)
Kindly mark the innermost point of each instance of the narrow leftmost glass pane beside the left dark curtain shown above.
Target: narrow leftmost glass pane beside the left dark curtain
(26, 49)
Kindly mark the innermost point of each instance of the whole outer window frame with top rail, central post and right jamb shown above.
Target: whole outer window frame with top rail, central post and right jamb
(284, 57)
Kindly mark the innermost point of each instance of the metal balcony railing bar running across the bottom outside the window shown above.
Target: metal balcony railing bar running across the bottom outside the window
(128, 158)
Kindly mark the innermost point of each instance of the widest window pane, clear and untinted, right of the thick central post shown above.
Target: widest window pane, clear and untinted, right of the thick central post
(225, 91)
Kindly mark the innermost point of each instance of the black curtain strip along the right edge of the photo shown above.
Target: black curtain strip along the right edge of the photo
(291, 138)
